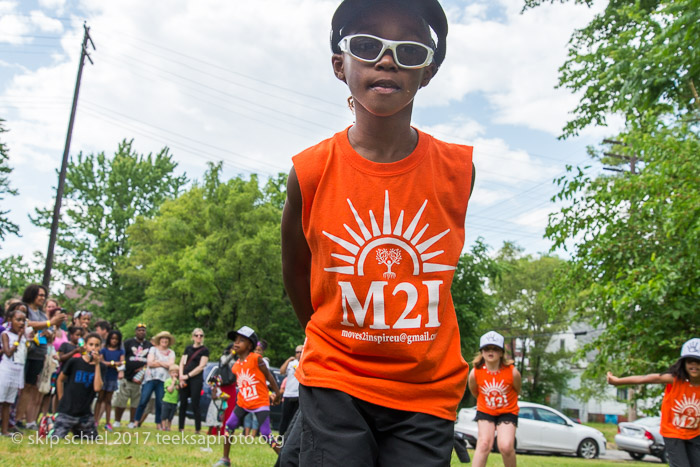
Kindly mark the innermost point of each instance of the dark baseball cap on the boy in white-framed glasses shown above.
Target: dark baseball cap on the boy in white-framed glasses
(429, 10)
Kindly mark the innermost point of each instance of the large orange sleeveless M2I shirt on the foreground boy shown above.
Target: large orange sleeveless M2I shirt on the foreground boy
(385, 239)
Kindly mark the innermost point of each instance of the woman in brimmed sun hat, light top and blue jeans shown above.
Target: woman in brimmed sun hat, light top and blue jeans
(160, 358)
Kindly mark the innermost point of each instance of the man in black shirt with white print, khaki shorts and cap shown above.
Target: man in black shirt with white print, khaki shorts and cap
(136, 356)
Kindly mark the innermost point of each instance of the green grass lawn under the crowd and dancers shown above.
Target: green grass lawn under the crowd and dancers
(150, 447)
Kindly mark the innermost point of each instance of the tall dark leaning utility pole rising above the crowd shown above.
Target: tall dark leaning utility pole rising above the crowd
(62, 175)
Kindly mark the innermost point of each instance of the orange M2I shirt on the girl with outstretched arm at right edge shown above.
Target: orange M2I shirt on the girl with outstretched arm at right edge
(680, 410)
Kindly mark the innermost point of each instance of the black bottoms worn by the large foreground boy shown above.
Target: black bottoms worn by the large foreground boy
(340, 430)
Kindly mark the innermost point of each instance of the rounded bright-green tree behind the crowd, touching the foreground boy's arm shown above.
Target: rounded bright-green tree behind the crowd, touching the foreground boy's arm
(211, 258)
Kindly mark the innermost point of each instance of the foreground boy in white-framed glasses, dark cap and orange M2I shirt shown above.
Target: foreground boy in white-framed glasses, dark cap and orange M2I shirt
(372, 231)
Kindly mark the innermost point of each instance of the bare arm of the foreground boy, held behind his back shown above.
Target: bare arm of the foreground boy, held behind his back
(296, 256)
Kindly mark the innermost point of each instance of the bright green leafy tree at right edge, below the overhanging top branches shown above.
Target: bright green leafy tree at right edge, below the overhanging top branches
(636, 268)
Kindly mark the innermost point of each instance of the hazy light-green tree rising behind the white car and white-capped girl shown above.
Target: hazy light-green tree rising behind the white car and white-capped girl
(523, 316)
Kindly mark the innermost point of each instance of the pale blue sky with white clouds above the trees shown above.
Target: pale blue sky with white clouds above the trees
(250, 84)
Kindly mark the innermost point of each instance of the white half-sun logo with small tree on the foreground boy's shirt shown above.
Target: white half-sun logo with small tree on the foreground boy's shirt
(408, 240)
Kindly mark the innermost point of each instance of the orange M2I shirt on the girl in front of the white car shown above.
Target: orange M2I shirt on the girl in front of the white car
(496, 393)
